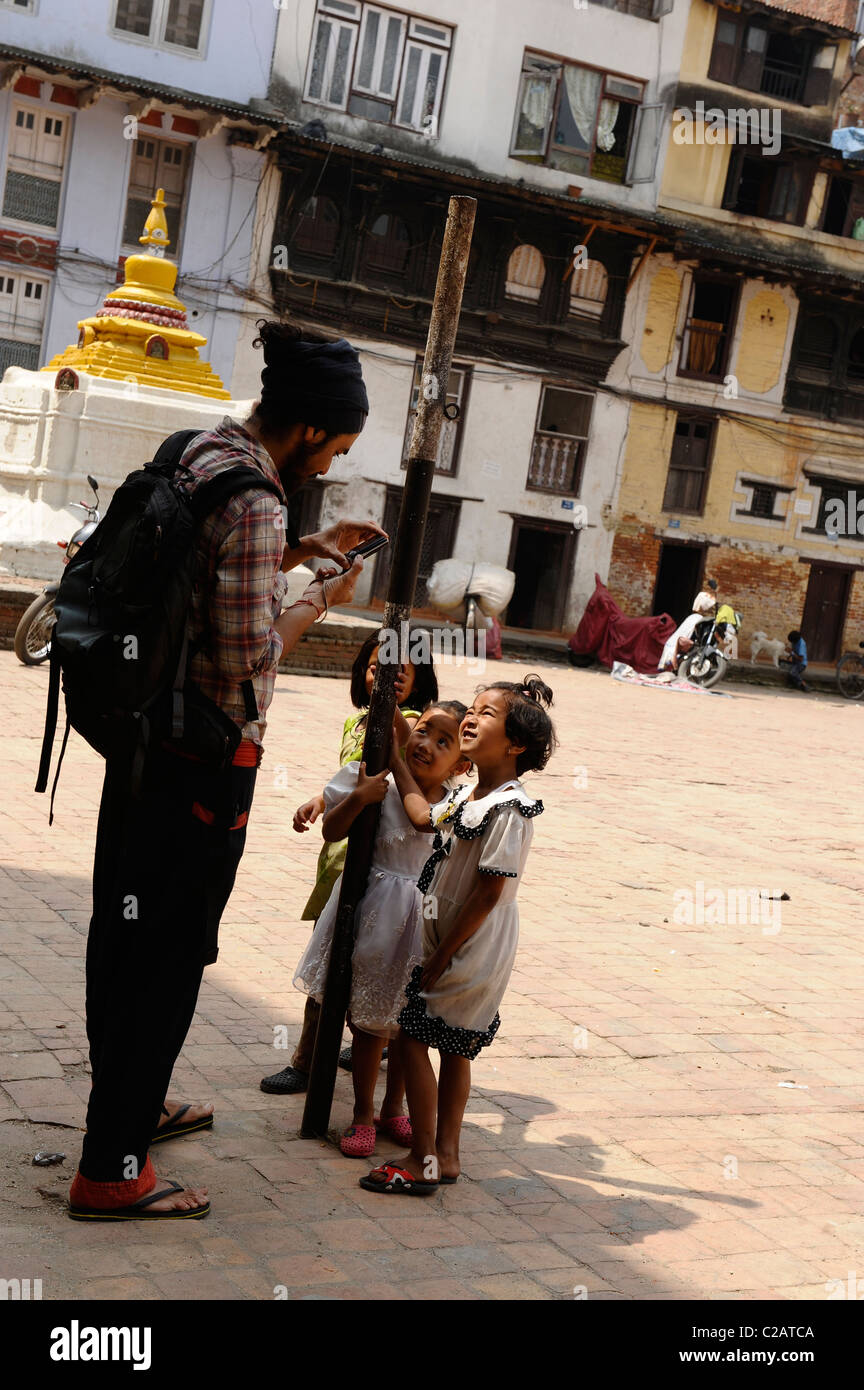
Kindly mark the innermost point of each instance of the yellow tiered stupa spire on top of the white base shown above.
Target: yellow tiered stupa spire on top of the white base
(141, 334)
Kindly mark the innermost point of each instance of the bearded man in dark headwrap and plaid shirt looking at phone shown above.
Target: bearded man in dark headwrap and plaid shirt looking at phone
(166, 861)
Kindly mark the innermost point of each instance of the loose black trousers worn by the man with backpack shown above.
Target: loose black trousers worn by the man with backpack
(165, 869)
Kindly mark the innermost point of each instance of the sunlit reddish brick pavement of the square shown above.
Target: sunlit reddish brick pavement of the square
(672, 1110)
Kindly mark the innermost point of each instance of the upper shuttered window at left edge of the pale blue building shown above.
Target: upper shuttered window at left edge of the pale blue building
(34, 170)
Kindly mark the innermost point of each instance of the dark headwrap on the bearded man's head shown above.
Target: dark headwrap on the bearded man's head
(316, 383)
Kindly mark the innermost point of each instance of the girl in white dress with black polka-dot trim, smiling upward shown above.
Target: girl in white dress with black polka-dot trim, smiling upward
(483, 836)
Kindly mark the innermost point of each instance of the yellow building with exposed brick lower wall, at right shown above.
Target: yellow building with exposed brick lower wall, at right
(745, 368)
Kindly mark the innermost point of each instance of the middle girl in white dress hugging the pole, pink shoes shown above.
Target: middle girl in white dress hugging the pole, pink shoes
(388, 935)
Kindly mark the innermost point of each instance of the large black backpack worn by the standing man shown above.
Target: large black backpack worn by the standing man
(122, 637)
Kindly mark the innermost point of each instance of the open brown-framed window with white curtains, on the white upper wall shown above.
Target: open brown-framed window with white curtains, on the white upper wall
(576, 119)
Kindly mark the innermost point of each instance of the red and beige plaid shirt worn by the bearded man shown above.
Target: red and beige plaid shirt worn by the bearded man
(240, 583)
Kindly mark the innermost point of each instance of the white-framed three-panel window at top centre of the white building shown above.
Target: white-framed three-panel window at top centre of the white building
(379, 65)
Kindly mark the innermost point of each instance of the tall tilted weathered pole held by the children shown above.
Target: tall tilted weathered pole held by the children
(383, 703)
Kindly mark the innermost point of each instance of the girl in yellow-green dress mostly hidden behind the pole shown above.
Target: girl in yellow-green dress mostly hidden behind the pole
(416, 687)
